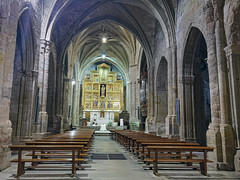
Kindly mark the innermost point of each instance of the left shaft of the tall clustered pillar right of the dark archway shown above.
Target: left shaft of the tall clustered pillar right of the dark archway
(213, 132)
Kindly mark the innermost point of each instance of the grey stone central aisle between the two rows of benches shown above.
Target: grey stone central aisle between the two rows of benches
(127, 169)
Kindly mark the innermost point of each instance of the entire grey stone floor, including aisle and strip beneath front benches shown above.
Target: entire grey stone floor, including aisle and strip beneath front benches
(128, 169)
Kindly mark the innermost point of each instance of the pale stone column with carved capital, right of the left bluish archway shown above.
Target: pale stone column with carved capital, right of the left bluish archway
(42, 121)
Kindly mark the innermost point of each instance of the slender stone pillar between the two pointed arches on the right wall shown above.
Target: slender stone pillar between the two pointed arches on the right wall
(172, 128)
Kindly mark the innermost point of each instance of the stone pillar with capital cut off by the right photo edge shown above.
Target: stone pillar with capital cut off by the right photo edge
(233, 56)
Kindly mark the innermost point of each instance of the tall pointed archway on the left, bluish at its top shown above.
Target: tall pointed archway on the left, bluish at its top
(24, 77)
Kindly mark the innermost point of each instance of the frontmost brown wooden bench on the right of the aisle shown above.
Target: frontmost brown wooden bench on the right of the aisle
(187, 149)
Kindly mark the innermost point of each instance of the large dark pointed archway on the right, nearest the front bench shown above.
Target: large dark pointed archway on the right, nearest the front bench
(196, 92)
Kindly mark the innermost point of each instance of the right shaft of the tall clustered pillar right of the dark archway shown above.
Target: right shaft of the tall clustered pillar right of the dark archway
(225, 126)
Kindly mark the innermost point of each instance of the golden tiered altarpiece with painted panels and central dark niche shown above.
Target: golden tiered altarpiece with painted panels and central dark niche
(102, 96)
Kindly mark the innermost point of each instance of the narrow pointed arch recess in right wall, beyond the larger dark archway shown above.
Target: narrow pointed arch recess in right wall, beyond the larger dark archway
(162, 96)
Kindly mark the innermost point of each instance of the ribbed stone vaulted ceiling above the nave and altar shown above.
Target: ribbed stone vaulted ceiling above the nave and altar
(130, 25)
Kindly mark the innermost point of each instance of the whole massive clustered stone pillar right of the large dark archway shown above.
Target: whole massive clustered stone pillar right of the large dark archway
(220, 134)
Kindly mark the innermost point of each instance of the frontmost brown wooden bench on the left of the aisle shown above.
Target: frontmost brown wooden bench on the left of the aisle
(34, 160)
